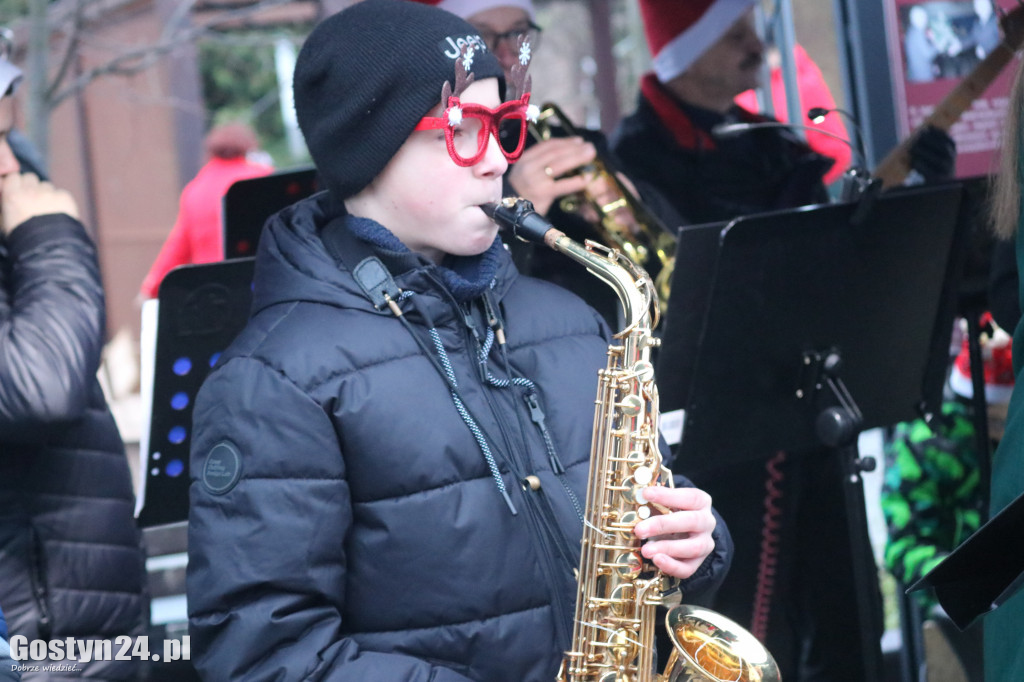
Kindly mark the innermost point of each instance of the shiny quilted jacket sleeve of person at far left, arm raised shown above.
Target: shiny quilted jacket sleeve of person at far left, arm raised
(52, 325)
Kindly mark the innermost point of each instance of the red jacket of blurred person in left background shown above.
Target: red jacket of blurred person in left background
(198, 234)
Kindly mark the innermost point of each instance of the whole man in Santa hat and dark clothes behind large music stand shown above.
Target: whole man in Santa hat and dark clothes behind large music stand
(705, 54)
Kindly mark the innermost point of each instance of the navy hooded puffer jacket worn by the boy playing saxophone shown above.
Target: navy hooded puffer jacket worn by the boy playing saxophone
(346, 524)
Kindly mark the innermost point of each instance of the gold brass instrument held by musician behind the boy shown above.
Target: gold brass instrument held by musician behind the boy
(625, 224)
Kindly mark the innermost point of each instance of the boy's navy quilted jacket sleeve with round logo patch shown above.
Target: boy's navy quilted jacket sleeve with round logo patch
(267, 578)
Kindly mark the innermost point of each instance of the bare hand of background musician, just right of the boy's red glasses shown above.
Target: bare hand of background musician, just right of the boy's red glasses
(537, 177)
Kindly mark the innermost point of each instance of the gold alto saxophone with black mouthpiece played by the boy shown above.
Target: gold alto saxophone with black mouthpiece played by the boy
(619, 589)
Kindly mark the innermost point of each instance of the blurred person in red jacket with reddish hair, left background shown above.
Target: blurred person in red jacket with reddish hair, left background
(198, 233)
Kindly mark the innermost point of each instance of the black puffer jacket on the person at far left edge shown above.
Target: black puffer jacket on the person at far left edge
(71, 562)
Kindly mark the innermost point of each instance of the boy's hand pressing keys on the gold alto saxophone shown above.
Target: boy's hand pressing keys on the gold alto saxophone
(679, 541)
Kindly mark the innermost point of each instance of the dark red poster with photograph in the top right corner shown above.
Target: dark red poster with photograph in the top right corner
(949, 57)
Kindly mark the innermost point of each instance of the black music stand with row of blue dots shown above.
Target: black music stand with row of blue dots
(202, 310)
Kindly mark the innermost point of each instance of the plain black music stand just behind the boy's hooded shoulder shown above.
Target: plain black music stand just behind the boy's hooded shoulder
(248, 204)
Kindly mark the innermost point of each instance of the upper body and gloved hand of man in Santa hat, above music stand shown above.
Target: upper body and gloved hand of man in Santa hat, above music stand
(707, 53)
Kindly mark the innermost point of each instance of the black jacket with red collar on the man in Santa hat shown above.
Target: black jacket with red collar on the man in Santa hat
(708, 180)
